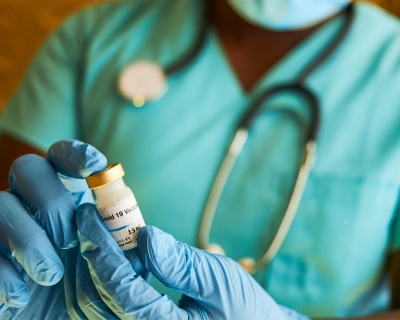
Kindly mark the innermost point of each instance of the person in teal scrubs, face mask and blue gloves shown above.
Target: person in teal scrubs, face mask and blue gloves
(340, 257)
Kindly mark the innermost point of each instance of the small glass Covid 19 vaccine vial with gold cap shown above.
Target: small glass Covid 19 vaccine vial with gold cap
(117, 205)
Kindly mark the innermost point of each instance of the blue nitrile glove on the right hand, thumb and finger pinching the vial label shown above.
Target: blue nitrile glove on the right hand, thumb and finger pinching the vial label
(213, 286)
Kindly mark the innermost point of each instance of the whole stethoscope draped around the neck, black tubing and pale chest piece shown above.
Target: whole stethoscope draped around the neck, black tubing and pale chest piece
(145, 81)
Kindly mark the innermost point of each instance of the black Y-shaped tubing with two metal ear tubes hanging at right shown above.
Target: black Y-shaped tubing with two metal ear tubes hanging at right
(239, 140)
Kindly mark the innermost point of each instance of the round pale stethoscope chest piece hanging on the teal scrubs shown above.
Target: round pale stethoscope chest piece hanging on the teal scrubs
(141, 82)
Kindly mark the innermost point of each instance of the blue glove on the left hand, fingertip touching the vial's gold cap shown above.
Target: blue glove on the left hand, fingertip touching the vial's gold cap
(36, 221)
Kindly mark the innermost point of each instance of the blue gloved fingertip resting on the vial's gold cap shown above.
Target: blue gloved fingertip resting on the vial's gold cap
(76, 159)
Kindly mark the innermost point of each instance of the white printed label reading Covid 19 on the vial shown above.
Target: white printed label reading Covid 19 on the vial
(123, 220)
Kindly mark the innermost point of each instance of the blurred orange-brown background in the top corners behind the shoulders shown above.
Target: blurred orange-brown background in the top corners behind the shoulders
(25, 24)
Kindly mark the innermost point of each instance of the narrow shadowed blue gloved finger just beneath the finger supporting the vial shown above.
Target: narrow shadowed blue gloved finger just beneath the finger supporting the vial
(89, 300)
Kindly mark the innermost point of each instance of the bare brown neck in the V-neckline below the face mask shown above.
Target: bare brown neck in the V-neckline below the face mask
(251, 50)
